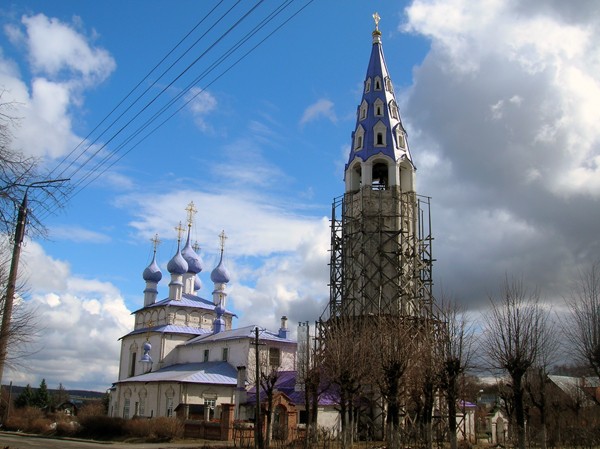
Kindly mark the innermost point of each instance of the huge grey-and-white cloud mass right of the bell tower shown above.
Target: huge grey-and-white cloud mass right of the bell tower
(503, 115)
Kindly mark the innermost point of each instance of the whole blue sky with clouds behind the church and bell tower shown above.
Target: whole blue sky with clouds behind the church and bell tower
(501, 101)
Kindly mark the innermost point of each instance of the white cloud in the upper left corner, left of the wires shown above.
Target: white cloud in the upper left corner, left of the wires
(64, 63)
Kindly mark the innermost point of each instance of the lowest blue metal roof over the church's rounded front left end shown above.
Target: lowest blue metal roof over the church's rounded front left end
(221, 373)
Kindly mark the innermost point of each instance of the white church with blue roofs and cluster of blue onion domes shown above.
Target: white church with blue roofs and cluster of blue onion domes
(183, 356)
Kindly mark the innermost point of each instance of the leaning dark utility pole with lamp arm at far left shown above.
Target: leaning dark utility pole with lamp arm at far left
(14, 266)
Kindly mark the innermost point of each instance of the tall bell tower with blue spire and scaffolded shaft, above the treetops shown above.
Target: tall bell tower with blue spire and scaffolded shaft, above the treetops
(380, 228)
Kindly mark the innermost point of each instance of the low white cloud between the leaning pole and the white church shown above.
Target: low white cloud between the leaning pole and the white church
(81, 321)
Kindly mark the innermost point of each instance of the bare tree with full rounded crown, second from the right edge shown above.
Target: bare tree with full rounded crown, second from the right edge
(515, 332)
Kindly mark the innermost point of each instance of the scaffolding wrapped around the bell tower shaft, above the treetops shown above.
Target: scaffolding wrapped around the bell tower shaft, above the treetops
(381, 254)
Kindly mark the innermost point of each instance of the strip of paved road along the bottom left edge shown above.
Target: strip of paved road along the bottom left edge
(13, 440)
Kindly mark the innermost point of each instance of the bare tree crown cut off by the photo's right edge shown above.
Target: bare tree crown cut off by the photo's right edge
(583, 326)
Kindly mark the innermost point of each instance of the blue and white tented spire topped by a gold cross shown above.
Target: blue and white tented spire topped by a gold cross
(379, 129)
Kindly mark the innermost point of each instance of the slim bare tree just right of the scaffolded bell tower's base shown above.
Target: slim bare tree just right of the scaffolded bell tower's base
(456, 348)
